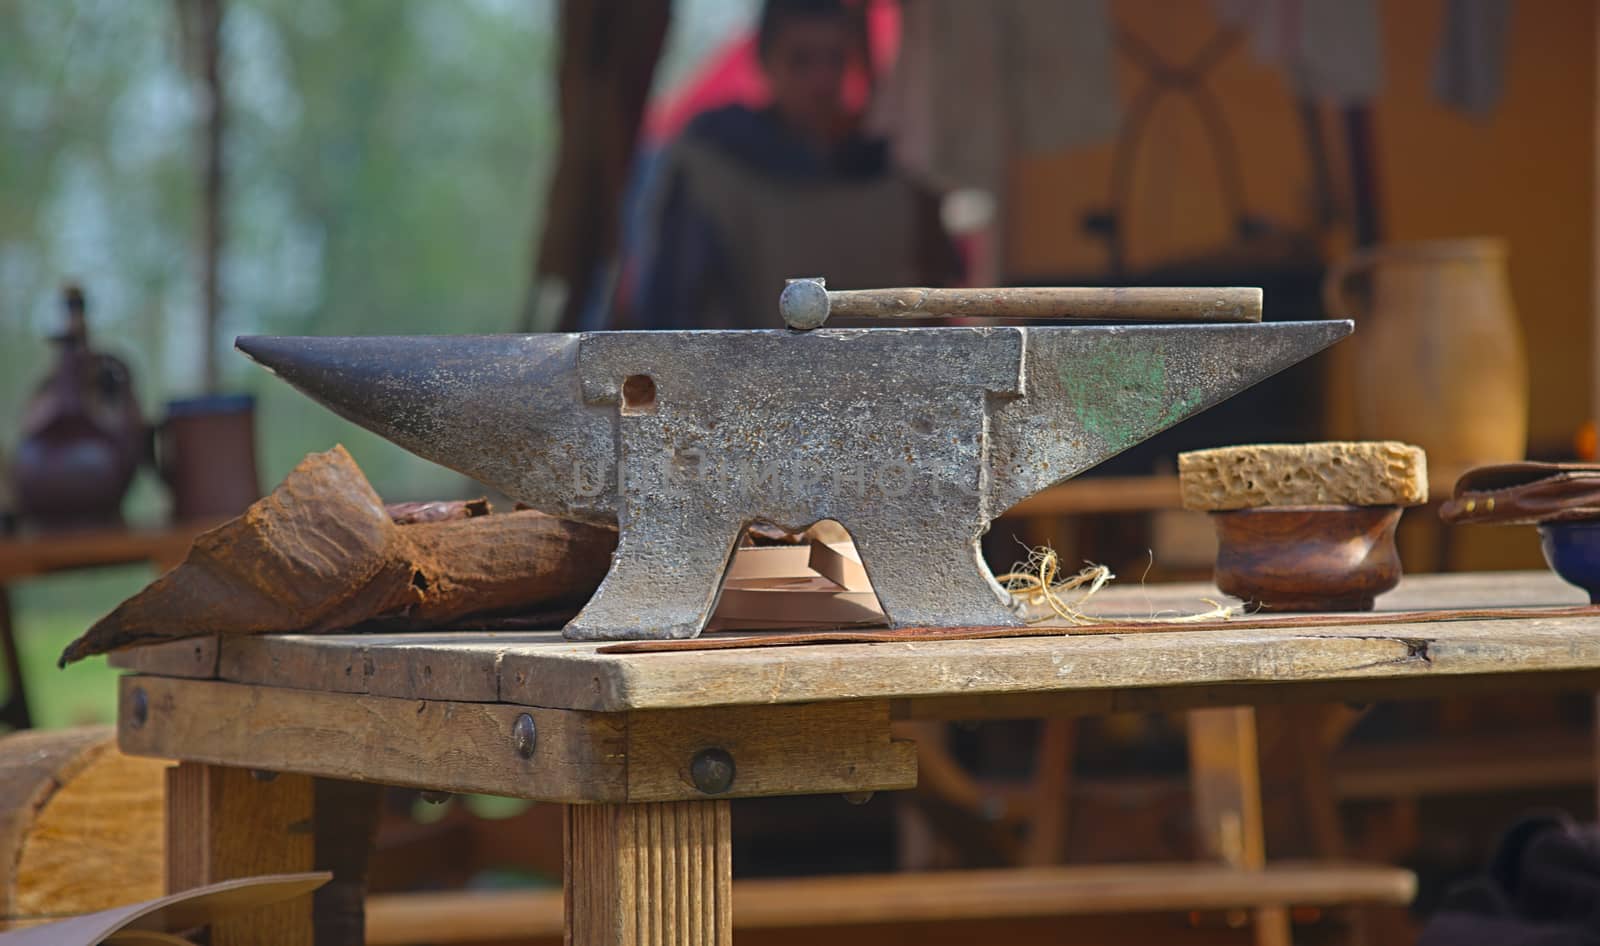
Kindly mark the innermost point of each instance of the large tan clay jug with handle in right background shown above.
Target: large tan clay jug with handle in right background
(1439, 353)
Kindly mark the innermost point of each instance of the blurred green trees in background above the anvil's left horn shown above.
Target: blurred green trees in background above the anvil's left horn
(386, 167)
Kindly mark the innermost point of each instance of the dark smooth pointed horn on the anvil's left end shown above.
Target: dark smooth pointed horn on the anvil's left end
(503, 411)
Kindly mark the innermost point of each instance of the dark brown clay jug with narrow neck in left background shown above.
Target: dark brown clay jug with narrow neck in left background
(82, 436)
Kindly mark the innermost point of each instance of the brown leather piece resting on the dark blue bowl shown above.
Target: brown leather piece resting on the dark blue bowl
(1510, 494)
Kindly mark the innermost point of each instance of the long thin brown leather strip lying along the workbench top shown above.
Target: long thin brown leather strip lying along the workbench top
(1247, 623)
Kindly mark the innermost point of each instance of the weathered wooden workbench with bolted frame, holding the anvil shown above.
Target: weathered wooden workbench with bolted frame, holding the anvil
(617, 737)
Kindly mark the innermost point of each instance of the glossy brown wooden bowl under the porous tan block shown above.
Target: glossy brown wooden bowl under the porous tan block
(1308, 558)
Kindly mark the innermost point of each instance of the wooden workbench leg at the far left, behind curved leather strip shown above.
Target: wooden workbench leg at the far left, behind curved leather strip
(225, 824)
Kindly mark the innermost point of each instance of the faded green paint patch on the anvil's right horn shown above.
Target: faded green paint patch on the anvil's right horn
(1124, 396)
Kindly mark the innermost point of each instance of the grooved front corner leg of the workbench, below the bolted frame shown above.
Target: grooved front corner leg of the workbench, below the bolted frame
(649, 875)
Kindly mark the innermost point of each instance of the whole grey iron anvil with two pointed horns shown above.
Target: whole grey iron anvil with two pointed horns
(914, 439)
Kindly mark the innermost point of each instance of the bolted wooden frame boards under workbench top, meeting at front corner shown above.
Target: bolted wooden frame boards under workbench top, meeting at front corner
(471, 747)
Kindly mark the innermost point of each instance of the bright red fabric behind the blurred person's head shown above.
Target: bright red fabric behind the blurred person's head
(734, 76)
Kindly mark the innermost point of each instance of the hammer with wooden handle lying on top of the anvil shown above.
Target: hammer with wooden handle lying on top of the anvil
(809, 303)
